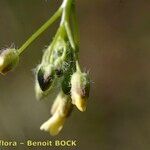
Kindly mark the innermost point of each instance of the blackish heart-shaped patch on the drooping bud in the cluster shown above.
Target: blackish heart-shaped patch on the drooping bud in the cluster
(45, 81)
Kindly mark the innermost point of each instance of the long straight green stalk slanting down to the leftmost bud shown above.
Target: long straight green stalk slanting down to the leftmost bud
(41, 30)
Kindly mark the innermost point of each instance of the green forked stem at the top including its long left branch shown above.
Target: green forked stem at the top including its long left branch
(65, 10)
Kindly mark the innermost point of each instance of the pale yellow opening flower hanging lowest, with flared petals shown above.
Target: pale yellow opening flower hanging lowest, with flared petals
(60, 111)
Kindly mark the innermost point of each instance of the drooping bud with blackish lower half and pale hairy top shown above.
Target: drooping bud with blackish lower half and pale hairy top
(45, 77)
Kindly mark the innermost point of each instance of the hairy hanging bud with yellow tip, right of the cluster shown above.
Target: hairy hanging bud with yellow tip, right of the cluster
(80, 86)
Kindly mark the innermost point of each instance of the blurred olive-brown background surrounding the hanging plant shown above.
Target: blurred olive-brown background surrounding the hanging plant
(115, 47)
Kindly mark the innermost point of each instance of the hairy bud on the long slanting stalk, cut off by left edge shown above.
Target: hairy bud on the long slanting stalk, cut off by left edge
(9, 58)
